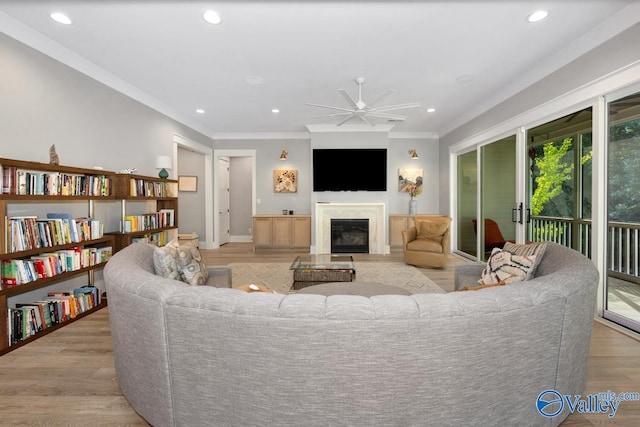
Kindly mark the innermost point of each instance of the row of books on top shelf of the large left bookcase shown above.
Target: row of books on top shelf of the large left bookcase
(29, 182)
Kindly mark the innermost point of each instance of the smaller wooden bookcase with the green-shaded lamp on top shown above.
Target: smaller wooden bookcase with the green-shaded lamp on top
(157, 225)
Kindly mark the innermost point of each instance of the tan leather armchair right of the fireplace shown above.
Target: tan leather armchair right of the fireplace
(427, 244)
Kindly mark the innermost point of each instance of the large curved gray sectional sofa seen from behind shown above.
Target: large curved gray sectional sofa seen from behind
(206, 356)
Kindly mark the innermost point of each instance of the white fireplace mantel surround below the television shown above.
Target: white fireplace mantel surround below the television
(374, 212)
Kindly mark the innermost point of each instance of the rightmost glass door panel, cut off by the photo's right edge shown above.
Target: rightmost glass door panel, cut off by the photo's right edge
(623, 207)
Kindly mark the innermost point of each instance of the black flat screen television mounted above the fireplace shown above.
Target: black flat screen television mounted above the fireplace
(354, 169)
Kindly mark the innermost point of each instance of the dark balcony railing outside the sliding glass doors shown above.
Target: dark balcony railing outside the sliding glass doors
(623, 246)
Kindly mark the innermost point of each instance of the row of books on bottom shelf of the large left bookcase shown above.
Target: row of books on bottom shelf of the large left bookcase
(26, 320)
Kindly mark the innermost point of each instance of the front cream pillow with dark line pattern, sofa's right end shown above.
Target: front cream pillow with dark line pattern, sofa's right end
(503, 266)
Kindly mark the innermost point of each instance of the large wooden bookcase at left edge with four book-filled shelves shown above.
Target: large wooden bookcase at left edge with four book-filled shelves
(38, 251)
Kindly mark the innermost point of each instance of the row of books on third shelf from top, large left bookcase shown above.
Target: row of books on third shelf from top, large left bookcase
(21, 271)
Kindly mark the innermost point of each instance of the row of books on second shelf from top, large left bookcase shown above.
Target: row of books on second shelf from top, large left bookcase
(28, 232)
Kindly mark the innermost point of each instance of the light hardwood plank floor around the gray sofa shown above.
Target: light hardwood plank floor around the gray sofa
(67, 377)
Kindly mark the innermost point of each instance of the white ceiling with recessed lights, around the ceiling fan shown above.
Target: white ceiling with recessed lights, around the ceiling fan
(458, 57)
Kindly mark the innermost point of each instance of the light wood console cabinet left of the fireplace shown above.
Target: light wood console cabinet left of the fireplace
(282, 231)
